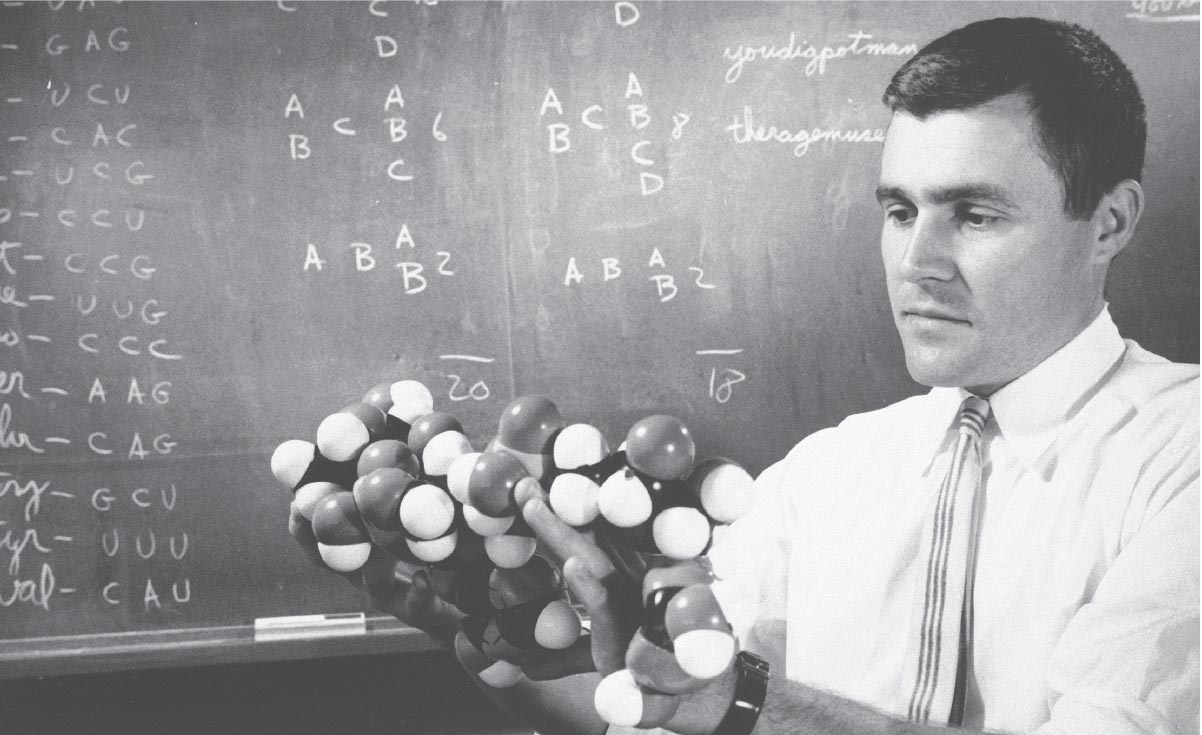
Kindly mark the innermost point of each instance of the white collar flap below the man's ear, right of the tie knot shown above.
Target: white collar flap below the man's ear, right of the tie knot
(1031, 411)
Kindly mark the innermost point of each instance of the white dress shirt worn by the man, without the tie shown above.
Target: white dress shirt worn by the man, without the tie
(1087, 583)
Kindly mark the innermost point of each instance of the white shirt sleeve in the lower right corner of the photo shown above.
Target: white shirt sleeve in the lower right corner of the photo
(1128, 662)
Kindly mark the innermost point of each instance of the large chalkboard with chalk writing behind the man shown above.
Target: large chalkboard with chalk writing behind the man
(224, 221)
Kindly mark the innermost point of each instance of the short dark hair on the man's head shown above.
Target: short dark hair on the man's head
(1086, 103)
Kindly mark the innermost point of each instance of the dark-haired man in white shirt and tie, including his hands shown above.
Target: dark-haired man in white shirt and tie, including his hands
(1067, 579)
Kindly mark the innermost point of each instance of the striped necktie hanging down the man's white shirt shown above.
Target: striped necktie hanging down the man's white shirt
(939, 651)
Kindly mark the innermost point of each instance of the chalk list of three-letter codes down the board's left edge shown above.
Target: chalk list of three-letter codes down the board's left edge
(112, 257)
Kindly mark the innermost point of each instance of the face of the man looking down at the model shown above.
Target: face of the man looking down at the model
(987, 275)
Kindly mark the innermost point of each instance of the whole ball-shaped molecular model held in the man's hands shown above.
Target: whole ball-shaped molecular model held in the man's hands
(392, 472)
